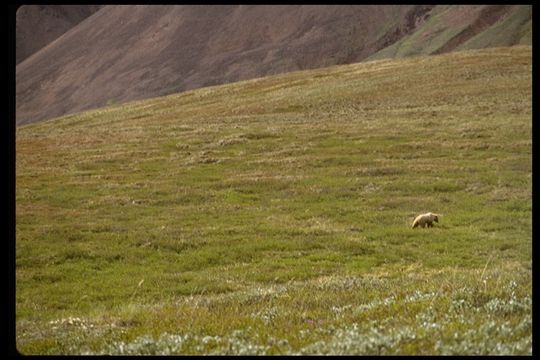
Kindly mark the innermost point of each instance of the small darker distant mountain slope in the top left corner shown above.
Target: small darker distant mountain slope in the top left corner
(38, 25)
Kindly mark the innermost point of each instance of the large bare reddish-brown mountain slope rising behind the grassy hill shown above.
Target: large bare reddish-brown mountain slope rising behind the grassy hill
(124, 53)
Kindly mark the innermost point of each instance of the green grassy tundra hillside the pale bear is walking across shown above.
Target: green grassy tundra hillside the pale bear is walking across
(273, 215)
